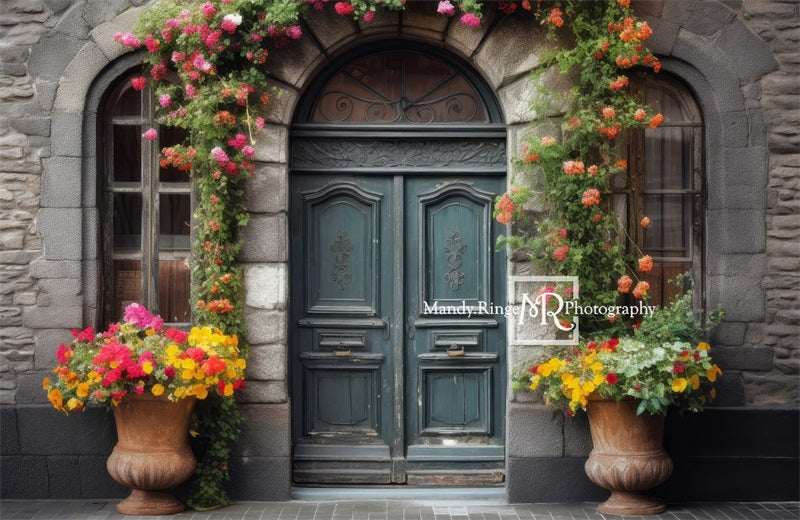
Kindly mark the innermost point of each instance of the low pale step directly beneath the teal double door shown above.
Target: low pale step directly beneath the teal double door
(489, 494)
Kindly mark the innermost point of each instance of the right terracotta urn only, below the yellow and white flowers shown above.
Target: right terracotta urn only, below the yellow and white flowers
(627, 457)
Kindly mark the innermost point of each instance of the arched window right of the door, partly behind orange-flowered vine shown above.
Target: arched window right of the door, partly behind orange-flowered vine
(666, 186)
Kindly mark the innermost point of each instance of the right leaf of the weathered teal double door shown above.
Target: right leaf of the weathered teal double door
(455, 355)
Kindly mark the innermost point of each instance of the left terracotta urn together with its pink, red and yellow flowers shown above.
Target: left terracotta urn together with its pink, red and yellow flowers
(151, 377)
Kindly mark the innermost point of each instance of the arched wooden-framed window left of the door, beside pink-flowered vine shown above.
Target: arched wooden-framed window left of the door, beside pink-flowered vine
(146, 209)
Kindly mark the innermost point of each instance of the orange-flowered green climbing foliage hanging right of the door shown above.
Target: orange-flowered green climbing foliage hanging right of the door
(580, 234)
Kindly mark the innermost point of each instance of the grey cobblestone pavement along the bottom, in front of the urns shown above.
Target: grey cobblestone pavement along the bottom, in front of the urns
(398, 510)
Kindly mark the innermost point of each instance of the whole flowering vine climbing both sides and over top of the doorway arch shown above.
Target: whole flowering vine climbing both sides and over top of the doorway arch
(206, 60)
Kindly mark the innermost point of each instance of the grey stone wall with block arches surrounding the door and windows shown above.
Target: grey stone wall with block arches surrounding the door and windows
(741, 58)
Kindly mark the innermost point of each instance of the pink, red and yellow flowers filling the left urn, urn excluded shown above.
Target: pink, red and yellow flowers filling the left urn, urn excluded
(139, 355)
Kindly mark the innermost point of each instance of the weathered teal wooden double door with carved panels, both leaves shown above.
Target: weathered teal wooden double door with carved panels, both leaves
(398, 370)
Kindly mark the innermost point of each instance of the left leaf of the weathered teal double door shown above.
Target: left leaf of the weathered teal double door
(344, 370)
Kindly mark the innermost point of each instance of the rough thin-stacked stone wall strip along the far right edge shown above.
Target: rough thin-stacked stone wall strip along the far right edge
(778, 24)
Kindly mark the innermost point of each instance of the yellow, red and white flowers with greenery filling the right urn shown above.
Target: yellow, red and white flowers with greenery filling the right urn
(664, 363)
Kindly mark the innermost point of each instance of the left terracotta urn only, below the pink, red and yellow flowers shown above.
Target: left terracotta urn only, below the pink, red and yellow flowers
(152, 453)
